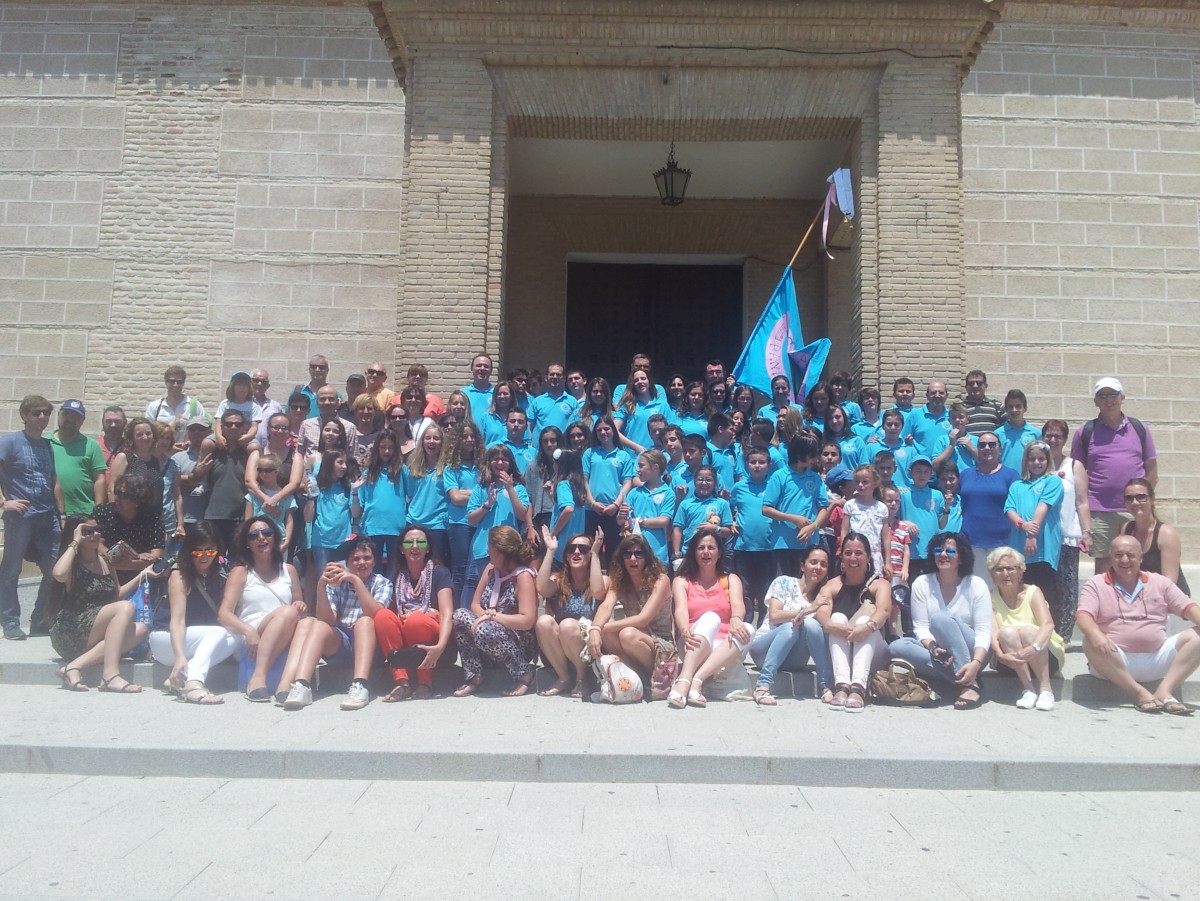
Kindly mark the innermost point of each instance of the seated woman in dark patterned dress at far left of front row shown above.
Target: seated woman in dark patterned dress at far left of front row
(91, 621)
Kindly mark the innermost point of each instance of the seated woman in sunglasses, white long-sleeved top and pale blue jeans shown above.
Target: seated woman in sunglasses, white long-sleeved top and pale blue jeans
(951, 622)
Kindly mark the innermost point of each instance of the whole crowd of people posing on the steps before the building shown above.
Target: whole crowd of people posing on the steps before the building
(682, 528)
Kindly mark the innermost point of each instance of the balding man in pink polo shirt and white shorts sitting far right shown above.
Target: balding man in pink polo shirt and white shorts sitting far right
(1123, 616)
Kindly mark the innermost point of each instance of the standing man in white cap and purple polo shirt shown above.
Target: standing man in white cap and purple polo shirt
(1114, 449)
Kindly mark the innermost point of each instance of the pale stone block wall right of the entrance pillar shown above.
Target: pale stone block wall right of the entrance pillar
(1082, 171)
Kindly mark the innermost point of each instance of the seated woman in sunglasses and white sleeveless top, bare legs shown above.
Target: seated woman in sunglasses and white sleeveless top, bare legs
(262, 602)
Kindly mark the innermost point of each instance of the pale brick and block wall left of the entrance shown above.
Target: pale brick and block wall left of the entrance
(200, 184)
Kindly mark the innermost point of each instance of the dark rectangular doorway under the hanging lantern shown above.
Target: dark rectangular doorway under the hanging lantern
(682, 316)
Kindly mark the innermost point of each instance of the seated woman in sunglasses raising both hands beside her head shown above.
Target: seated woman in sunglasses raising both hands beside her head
(572, 593)
